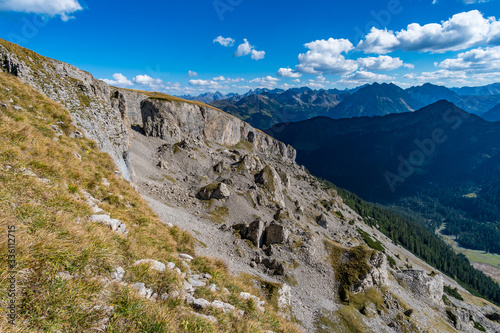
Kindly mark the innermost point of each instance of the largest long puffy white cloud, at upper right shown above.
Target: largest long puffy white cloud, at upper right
(461, 31)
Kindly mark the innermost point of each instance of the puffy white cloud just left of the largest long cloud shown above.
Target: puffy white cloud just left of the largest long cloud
(325, 57)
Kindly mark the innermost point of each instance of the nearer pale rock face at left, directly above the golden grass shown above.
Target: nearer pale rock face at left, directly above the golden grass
(87, 99)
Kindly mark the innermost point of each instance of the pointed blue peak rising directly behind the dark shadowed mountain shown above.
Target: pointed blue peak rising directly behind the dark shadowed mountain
(376, 100)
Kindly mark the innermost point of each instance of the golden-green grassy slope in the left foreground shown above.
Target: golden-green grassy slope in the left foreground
(53, 235)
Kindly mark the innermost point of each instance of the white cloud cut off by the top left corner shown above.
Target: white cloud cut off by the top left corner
(63, 8)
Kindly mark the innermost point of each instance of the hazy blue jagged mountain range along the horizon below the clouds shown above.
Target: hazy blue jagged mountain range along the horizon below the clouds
(264, 108)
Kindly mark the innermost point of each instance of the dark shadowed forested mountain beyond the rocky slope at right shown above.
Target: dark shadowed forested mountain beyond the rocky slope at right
(439, 162)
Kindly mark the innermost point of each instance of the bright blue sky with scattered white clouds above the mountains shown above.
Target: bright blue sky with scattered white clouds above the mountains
(193, 46)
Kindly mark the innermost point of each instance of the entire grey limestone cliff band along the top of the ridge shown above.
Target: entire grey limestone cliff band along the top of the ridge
(106, 113)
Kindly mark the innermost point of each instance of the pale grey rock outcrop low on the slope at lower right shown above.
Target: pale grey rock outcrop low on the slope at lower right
(420, 283)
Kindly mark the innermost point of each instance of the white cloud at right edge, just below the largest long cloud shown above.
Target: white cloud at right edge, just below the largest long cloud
(476, 60)
